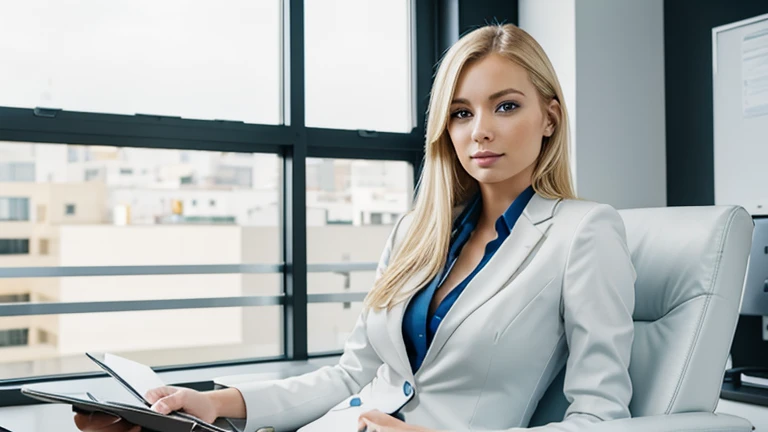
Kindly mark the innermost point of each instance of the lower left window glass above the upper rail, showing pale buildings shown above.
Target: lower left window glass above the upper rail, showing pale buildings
(108, 206)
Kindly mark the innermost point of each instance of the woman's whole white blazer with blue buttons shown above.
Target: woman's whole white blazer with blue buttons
(558, 292)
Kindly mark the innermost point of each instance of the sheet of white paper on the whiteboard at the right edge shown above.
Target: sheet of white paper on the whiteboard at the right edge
(754, 73)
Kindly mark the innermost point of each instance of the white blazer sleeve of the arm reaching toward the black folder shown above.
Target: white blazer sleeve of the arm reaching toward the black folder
(290, 403)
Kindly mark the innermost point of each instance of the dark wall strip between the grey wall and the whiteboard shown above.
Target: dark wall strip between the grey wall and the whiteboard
(688, 80)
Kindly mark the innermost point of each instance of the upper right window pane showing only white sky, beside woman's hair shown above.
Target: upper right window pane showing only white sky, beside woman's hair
(358, 64)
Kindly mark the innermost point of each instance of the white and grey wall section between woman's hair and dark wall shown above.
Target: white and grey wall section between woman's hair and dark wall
(609, 56)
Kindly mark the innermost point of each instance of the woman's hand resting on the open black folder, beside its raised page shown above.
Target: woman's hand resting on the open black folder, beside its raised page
(167, 399)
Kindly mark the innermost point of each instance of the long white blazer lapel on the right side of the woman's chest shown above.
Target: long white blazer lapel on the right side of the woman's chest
(525, 235)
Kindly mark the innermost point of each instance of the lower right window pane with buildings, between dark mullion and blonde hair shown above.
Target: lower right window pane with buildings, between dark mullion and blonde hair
(357, 193)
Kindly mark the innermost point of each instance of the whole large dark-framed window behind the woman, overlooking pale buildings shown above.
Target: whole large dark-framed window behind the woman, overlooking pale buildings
(200, 94)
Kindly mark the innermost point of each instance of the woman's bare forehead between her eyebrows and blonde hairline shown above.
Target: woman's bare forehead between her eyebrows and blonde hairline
(483, 77)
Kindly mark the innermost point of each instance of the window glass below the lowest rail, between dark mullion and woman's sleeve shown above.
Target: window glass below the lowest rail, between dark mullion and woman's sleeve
(330, 324)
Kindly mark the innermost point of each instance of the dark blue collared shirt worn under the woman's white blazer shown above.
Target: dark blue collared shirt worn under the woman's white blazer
(419, 326)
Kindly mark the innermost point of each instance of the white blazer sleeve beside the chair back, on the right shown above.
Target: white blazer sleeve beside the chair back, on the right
(597, 304)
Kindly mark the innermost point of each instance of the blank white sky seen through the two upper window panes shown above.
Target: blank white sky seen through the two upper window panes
(207, 60)
